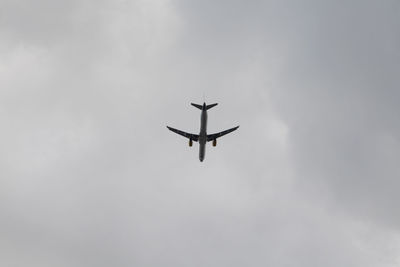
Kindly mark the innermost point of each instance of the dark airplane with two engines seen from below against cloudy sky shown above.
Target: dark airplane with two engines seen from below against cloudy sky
(203, 137)
